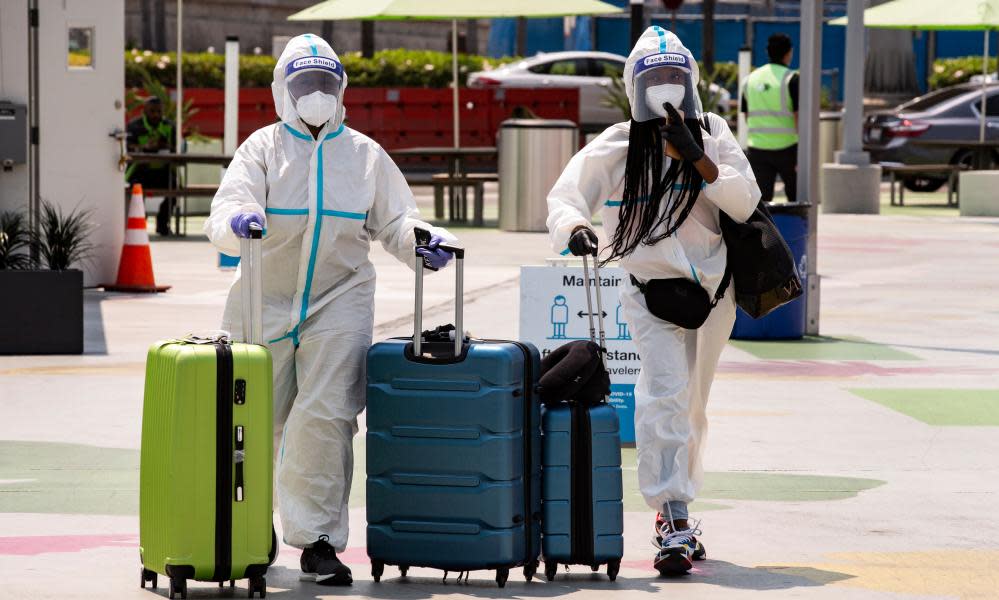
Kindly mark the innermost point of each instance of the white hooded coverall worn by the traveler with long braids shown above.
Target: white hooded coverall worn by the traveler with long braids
(677, 365)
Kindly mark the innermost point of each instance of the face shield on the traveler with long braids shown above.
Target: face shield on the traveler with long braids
(662, 78)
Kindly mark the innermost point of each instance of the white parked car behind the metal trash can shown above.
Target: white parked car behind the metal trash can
(589, 71)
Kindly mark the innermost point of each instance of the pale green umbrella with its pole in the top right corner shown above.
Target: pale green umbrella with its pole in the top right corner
(964, 15)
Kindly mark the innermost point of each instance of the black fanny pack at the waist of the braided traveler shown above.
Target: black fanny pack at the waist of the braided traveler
(680, 301)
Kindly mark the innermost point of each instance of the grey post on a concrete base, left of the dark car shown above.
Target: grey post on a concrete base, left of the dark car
(853, 184)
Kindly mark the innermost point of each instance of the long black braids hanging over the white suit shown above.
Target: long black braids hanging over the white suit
(654, 205)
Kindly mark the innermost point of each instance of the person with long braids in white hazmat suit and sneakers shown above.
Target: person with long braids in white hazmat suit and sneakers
(661, 180)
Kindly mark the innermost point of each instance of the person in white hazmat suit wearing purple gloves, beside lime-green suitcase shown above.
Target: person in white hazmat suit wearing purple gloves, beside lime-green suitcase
(323, 192)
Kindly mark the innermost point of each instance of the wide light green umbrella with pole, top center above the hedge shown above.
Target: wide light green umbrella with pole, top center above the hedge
(340, 10)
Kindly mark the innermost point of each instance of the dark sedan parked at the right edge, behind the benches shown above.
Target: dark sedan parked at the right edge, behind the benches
(951, 113)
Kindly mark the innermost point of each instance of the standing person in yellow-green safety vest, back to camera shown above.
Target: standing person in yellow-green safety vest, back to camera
(770, 101)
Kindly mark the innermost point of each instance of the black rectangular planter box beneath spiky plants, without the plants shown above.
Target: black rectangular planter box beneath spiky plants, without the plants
(41, 312)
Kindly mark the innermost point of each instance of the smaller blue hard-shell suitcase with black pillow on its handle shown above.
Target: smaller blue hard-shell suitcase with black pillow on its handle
(582, 506)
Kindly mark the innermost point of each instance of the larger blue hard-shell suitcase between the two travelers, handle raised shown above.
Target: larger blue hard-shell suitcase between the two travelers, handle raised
(453, 452)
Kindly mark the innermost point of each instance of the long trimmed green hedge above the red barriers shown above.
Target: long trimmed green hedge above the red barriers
(388, 68)
